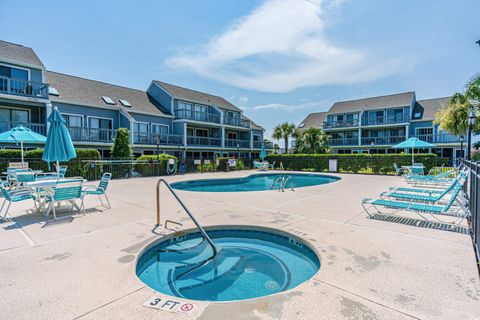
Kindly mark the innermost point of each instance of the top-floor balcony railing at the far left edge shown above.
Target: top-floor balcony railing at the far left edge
(23, 88)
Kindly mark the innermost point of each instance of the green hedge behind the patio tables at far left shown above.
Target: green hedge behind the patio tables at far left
(34, 159)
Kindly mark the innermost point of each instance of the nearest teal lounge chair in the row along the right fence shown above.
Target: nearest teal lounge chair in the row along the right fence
(454, 207)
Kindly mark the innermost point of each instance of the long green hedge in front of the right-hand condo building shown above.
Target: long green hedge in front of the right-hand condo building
(354, 163)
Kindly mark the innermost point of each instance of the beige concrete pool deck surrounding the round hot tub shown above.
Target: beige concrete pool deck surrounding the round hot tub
(84, 268)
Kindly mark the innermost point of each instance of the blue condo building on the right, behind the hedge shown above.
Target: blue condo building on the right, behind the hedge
(375, 124)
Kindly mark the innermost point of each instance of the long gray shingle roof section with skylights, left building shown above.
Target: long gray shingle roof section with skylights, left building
(82, 91)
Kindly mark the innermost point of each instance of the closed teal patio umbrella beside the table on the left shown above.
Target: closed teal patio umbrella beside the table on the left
(59, 146)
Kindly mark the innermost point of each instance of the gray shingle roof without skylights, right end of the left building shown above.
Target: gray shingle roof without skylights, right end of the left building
(197, 96)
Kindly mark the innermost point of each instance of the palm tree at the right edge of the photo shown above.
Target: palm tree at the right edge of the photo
(454, 117)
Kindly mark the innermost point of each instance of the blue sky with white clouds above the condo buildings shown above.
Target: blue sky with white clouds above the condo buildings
(278, 60)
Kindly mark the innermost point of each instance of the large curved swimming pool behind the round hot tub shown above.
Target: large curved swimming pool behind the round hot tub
(254, 182)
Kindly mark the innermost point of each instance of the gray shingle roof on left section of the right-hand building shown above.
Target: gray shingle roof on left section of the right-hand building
(389, 101)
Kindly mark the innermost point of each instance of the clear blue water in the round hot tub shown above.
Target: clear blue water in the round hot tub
(249, 264)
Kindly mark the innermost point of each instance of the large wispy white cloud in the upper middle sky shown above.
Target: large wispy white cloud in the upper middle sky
(281, 46)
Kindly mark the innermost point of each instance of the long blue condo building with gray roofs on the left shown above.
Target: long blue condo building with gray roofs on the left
(165, 118)
